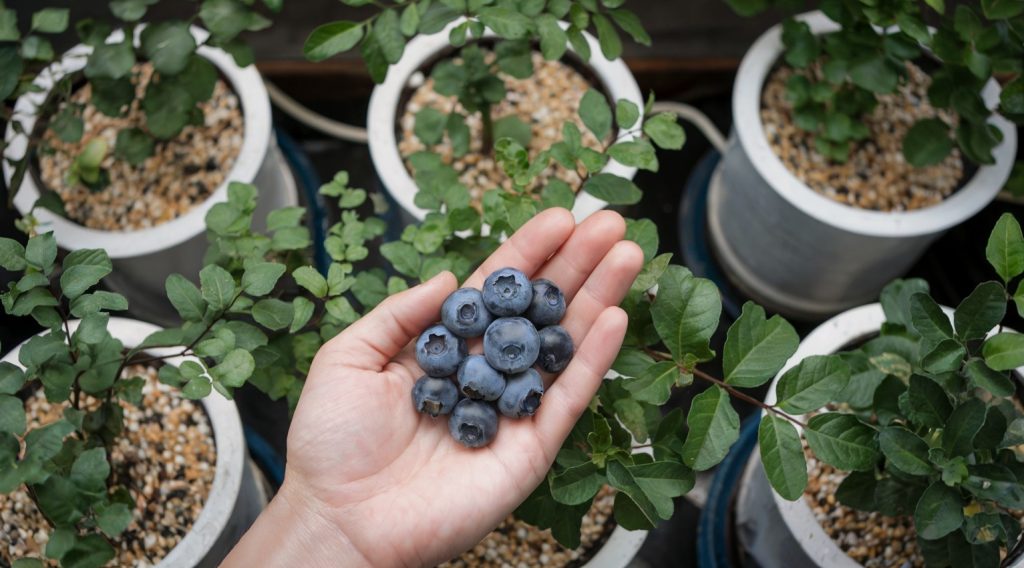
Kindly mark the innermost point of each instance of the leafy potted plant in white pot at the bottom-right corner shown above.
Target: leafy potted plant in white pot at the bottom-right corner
(922, 448)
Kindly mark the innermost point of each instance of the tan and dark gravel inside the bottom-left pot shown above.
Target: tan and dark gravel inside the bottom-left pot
(165, 458)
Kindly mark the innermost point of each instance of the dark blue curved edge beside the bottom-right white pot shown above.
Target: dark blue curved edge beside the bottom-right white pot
(713, 529)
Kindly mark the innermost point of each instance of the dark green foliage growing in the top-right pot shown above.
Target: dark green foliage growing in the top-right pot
(868, 58)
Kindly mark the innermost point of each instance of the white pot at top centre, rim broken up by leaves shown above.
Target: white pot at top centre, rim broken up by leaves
(385, 113)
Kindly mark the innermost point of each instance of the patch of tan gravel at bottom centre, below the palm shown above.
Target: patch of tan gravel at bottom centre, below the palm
(518, 544)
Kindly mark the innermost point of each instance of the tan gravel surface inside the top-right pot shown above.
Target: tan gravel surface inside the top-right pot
(876, 177)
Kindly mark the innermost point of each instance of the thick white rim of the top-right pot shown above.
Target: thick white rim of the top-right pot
(749, 130)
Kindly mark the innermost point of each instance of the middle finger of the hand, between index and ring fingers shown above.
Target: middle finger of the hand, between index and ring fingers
(585, 249)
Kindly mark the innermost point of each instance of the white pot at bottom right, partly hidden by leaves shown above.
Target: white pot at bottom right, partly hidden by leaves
(782, 534)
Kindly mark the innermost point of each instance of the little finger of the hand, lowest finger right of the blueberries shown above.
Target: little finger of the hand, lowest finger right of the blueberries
(574, 390)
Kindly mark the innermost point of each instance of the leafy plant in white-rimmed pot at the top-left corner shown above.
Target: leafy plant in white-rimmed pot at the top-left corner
(125, 142)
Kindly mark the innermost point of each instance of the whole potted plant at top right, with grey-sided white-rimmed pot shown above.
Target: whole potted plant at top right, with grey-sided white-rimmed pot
(861, 136)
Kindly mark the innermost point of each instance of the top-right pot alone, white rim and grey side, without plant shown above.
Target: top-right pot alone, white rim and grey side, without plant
(799, 252)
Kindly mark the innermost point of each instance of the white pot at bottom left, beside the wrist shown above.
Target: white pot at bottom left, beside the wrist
(235, 499)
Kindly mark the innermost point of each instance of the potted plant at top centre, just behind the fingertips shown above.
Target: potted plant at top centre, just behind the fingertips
(474, 73)
